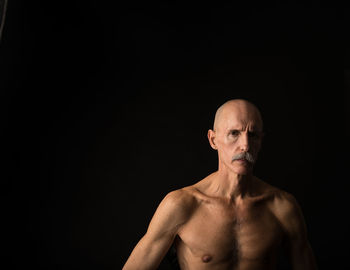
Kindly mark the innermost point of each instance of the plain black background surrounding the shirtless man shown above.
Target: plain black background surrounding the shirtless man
(105, 108)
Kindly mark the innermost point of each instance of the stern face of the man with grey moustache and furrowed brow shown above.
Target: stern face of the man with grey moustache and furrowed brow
(238, 133)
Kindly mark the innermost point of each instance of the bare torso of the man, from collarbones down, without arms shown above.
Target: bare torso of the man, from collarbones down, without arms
(221, 235)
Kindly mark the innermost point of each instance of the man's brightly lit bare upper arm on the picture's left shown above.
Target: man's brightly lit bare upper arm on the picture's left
(170, 215)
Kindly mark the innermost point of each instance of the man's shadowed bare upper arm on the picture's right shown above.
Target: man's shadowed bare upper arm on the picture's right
(298, 248)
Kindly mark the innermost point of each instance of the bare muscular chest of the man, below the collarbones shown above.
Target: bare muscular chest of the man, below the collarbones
(230, 234)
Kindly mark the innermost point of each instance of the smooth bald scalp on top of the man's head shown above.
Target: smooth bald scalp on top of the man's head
(237, 108)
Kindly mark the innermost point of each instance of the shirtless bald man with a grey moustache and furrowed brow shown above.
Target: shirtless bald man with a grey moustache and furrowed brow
(230, 219)
